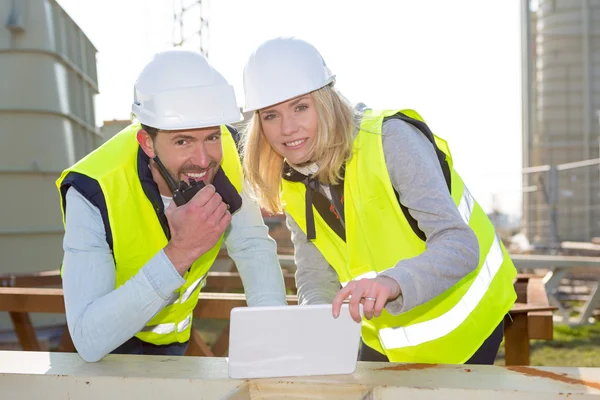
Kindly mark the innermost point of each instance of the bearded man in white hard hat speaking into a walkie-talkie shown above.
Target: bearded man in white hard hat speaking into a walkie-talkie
(146, 213)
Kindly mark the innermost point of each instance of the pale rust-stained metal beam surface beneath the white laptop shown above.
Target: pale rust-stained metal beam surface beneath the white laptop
(64, 375)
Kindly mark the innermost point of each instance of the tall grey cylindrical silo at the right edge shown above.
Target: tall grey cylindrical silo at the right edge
(562, 201)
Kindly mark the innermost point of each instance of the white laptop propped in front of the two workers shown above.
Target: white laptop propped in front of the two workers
(268, 342)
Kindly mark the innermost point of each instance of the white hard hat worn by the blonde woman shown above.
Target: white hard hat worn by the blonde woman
(281, 69)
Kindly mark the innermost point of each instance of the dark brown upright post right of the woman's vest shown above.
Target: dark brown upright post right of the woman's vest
(516, 339)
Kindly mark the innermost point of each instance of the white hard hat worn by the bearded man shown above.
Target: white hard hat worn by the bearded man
(179, 89)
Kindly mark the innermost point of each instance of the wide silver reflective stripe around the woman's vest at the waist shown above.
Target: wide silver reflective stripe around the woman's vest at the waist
(413, 335)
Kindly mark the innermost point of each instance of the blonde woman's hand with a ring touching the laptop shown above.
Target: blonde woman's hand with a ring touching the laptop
(371, 293)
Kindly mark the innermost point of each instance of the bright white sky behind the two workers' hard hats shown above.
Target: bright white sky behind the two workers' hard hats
(456, 62)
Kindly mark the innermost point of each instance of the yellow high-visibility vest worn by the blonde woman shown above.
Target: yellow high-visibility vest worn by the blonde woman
(452, 326)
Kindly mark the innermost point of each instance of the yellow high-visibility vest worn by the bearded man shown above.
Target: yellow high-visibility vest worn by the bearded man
(136, 230)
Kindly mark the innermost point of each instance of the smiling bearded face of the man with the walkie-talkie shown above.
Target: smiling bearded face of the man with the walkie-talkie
(187, 154)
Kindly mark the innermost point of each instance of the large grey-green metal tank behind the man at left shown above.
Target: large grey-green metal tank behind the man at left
(47, 122)
